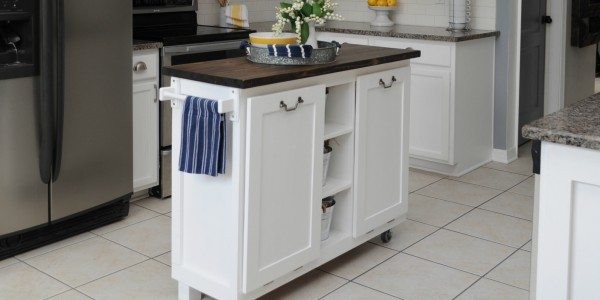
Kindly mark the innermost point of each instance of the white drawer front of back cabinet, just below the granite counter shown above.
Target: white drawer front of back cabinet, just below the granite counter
(438, 54)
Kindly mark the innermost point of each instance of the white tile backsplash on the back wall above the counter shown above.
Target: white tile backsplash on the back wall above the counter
(409, 12)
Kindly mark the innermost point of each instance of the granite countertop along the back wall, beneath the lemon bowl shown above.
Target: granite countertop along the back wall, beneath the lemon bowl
(398, 31)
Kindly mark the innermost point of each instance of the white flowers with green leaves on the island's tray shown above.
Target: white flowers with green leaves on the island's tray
(300, 13)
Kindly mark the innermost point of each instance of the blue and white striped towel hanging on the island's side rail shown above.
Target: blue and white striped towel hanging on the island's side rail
(203, 138)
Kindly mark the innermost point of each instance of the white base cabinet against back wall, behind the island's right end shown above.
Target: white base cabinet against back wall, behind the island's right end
(451, 127)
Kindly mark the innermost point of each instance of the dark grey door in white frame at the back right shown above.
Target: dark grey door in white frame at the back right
(533, 56)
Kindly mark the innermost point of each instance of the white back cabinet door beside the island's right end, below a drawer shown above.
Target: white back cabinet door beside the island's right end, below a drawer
(430, 128)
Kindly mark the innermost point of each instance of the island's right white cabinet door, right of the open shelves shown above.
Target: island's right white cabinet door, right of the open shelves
(381, 167)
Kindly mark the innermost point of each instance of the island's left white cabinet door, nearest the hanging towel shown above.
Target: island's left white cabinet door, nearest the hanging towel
(283, 183)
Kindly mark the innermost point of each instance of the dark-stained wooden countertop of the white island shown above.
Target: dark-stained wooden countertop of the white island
(241, 73)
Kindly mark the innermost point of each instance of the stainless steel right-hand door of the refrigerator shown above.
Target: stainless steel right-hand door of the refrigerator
(94, 144)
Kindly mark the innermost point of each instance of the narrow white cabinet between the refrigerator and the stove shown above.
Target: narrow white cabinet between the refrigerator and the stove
(145, 119)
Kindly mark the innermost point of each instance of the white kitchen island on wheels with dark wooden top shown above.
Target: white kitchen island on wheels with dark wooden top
(269, 217)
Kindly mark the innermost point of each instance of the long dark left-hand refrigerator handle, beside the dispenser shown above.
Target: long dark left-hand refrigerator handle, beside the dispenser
(47, 89)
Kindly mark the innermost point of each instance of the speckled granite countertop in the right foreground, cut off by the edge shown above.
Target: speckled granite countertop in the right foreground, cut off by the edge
(577, 125)
